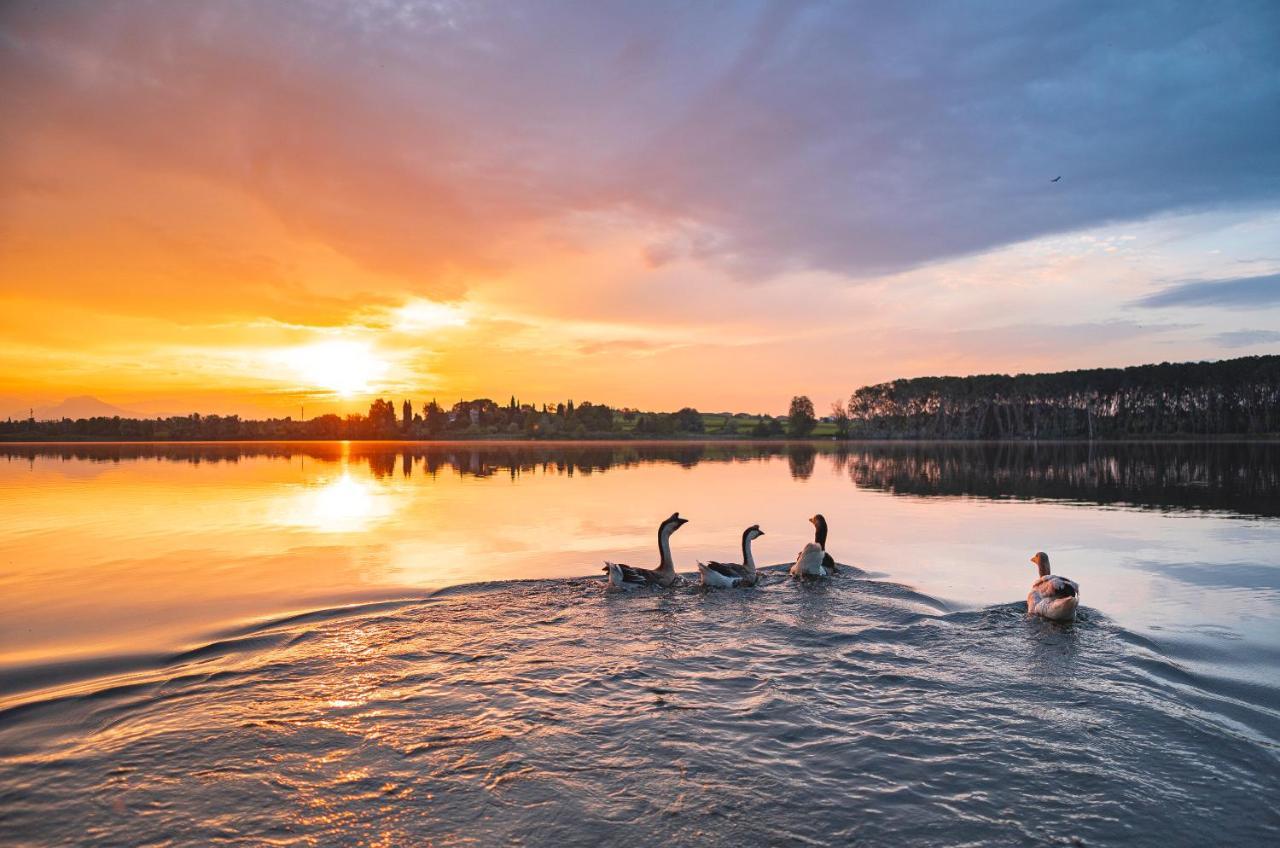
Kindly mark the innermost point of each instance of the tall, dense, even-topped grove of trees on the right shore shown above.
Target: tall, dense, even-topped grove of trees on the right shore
(1240, 398)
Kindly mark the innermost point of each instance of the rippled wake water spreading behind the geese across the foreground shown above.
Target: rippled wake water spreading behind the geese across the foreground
(843, 712)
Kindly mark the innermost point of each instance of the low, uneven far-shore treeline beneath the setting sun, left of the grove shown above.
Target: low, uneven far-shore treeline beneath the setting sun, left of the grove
(478, 418)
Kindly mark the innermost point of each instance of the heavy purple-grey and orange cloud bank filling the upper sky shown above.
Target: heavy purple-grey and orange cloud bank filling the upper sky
(851, 138)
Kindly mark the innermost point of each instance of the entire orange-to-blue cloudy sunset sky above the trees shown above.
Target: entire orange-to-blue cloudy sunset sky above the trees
(245, 207)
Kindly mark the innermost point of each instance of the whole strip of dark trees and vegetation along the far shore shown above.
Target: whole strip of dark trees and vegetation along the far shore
(1229, 399)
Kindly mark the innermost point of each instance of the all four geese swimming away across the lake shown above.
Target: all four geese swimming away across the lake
(1052, 596)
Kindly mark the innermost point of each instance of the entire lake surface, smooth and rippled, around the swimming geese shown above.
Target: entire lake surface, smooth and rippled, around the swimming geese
(376, 644)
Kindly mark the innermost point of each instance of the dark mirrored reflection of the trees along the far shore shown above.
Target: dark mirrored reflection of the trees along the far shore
(1242, 477)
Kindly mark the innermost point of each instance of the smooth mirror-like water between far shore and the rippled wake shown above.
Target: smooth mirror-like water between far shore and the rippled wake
(124, 549)
